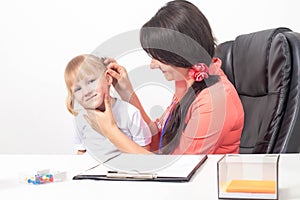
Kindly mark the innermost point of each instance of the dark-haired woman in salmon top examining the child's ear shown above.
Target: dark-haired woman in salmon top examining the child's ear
(206, 115)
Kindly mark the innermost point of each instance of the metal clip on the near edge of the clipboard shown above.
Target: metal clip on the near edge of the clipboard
(130, 175)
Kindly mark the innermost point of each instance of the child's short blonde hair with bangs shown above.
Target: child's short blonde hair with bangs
(78, 67)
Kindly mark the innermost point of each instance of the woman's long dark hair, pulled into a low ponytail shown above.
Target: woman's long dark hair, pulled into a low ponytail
(179, 35)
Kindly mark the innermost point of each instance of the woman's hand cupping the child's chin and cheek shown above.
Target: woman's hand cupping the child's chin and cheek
(102, 121)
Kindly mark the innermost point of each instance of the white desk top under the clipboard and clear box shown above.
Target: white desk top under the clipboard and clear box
(202, 186)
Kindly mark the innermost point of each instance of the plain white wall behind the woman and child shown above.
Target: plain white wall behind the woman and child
(38, 38)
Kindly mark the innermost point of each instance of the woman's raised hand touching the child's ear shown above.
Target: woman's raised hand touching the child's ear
(121, 81)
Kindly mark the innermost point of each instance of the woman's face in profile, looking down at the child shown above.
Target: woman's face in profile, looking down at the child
(170, 72)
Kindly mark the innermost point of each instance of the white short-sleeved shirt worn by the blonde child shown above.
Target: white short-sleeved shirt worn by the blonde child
(129, 121)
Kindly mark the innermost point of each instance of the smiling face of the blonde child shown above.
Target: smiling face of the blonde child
(89, 90)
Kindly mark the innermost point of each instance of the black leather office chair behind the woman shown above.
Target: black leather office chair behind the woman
(264, 67)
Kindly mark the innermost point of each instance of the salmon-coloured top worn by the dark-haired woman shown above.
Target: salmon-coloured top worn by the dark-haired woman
(214, 121)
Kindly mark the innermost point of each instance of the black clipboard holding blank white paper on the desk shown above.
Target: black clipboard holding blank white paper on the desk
(142, 167)
